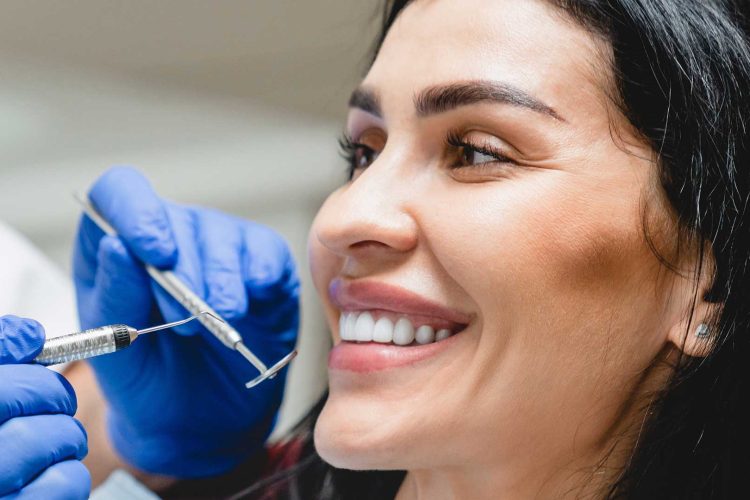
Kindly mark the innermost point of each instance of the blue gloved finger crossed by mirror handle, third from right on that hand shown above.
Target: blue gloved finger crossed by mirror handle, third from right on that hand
(188, 268)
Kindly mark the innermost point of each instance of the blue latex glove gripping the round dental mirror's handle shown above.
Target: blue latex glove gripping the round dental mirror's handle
(178, 402)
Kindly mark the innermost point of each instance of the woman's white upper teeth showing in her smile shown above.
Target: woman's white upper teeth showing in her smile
(362, 327)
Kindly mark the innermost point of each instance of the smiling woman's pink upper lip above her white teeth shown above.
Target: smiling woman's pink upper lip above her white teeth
(372, 295)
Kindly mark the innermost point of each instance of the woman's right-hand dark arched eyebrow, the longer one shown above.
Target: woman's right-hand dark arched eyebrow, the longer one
(442, 98)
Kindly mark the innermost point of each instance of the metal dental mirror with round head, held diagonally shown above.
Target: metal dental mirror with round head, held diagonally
(175, 287)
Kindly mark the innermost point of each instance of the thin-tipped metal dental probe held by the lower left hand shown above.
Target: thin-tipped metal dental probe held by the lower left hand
(97, 341)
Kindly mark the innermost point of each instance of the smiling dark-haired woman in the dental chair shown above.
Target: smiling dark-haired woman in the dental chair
(537, 275)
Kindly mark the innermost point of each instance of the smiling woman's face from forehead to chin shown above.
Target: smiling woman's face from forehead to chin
(497, 198)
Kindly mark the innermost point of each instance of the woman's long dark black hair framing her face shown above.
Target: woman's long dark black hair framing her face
(682, 76)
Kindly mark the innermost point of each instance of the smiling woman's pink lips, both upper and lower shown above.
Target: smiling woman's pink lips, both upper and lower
(372, 356)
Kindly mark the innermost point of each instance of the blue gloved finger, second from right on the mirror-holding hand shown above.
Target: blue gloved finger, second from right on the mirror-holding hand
(220, 241)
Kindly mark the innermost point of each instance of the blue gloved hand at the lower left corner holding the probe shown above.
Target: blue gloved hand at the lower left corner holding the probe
(41, 444)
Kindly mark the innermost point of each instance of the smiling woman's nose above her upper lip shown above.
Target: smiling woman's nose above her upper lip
(370, 214)
